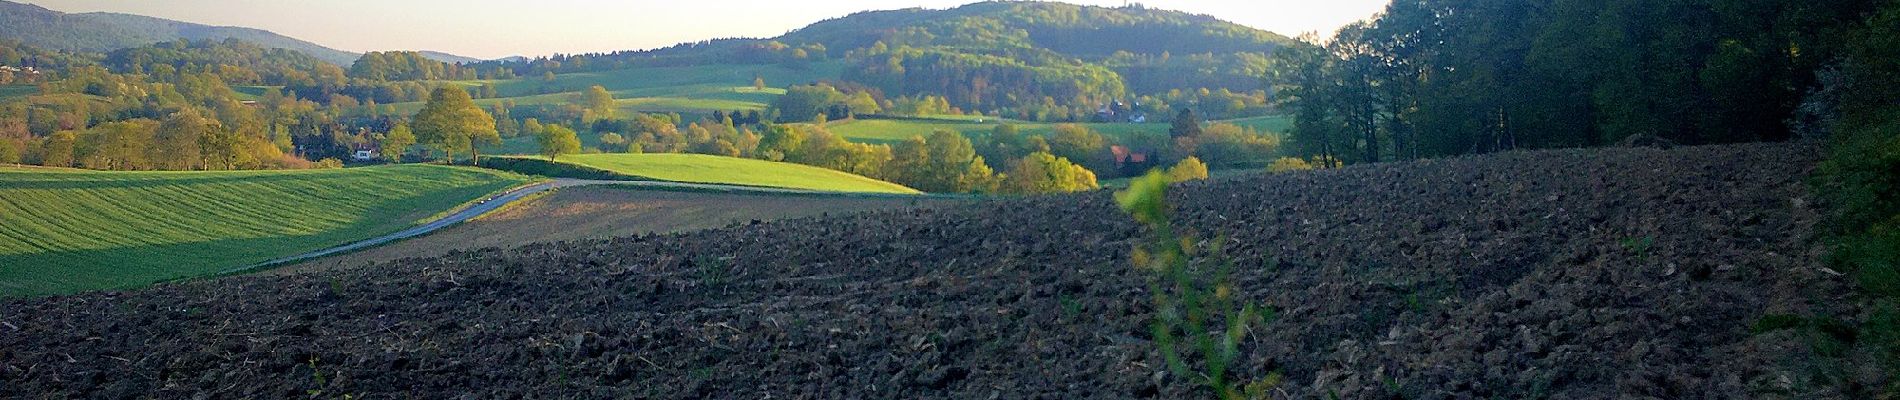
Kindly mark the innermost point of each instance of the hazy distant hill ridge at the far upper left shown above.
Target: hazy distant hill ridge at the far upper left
(100, 33)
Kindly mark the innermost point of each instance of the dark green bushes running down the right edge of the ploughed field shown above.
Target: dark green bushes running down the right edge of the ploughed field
(1857, 109)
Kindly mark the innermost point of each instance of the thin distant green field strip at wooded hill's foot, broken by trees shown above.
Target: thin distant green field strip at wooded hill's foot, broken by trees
(902, 130)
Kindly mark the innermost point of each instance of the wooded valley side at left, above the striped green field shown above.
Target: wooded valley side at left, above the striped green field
(172, 105)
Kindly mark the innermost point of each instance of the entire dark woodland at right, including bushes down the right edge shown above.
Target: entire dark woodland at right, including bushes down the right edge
(1434, 79)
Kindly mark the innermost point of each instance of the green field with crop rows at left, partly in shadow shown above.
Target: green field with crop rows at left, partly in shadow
(86, 230)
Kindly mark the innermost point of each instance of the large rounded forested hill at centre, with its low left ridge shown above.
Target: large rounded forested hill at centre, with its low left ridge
(1023, 60)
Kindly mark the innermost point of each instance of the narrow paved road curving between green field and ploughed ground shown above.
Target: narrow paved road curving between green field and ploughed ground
(497, 202)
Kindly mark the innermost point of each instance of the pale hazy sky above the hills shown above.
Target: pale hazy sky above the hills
(489, 29)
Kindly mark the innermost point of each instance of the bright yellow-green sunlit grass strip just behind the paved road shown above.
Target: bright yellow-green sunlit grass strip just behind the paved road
(734, 172)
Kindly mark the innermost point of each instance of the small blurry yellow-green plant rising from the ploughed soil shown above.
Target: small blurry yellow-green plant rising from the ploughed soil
(1198, 319)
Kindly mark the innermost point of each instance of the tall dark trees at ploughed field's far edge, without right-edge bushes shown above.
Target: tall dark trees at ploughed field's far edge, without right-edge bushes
(1458, 77)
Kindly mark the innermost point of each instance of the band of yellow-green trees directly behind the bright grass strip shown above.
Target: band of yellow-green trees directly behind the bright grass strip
(998, 162)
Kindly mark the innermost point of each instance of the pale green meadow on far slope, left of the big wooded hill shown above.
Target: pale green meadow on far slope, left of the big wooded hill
(687, 90)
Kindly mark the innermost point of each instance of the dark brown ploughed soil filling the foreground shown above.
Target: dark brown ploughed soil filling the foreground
(1513, 276)
